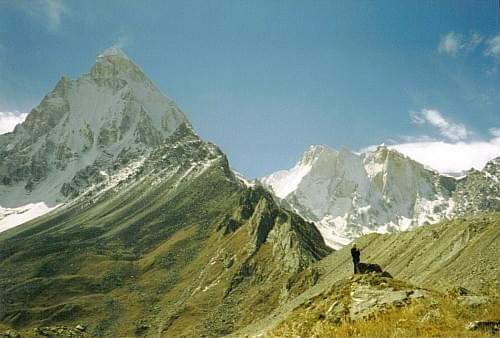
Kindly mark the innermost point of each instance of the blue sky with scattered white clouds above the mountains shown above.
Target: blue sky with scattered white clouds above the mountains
(266, 79)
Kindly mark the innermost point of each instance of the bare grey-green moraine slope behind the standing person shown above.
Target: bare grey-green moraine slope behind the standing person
(460, 252)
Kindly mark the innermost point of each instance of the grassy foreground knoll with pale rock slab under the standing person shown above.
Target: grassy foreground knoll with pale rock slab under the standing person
(389, 308)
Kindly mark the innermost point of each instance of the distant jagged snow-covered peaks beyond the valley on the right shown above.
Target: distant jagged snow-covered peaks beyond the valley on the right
(347, 194)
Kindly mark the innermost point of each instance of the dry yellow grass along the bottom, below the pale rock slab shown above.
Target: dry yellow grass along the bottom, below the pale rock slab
(440, 316)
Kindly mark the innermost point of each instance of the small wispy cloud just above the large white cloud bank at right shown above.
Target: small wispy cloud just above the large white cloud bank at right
(449, 130)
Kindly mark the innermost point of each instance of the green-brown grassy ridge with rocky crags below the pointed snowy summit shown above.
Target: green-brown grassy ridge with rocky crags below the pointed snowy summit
(183, 248)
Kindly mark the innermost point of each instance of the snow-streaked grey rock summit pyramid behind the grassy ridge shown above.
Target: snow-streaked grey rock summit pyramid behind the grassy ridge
(96, 123)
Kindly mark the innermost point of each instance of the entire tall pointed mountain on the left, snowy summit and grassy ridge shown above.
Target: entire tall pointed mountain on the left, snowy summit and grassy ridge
(157, 235)
